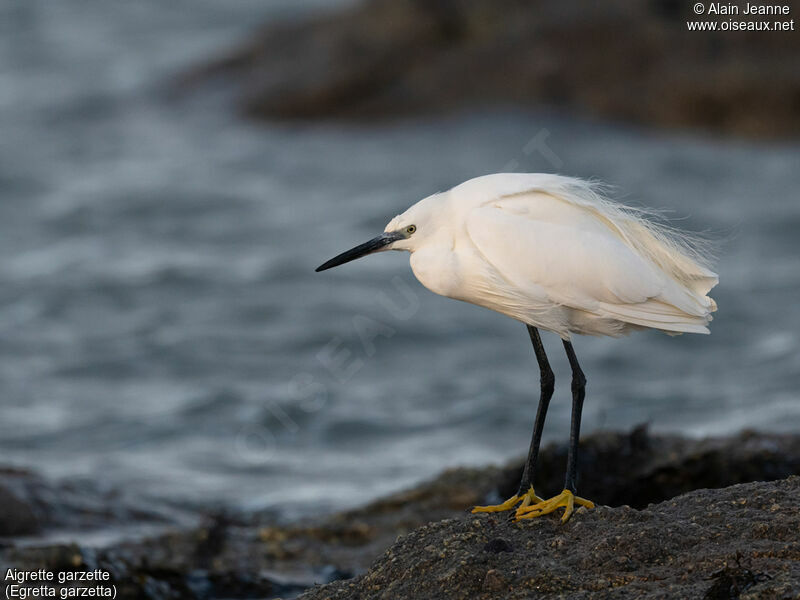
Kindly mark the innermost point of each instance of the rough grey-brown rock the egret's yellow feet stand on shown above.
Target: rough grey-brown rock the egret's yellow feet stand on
(738, 542)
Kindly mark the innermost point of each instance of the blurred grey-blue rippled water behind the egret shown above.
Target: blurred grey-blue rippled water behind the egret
(162, 330)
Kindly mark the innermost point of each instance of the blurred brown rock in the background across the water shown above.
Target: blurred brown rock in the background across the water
(631, 61)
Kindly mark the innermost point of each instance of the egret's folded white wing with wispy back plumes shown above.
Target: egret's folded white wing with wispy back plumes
(593, 256)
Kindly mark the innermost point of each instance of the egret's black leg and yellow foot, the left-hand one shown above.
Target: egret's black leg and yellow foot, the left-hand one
(525, 495)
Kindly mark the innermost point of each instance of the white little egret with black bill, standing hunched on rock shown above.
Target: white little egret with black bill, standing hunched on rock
(556, 254)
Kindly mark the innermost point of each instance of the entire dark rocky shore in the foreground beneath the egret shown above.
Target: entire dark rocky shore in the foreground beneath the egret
(651, 536)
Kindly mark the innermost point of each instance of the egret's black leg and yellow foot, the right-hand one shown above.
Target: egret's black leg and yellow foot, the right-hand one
(567, 499)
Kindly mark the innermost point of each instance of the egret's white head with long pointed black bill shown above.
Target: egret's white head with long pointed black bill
(405, 232)
